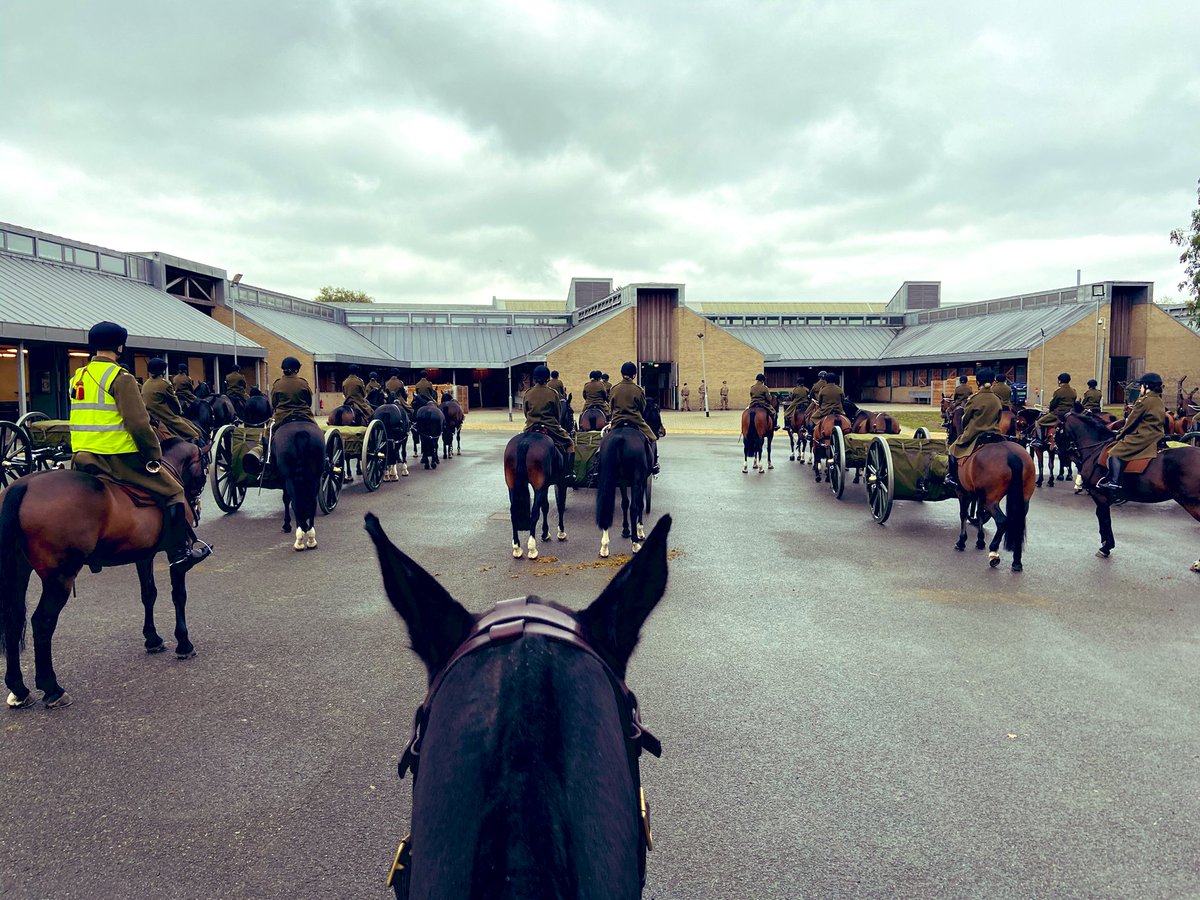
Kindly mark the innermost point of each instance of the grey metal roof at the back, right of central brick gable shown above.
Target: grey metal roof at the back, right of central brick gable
(799, 345)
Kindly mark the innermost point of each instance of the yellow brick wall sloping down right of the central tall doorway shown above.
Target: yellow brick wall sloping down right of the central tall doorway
(727, 359)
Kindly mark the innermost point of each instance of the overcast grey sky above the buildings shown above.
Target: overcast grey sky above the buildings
(449, 152)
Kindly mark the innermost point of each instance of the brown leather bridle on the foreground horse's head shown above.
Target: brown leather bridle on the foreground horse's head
(511, 621)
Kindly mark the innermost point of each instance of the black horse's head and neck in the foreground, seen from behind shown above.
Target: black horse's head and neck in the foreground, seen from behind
(525, 759)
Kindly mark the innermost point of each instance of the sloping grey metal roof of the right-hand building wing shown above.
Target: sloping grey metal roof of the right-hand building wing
(989, 337)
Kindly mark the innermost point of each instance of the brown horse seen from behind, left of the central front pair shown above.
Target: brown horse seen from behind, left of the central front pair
(532, 461)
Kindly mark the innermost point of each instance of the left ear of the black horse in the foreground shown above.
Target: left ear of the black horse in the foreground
(437, 623)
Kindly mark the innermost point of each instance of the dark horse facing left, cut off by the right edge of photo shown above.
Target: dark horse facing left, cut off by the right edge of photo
(1172, 476)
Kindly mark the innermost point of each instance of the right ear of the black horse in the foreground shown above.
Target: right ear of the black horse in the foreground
(615, 620)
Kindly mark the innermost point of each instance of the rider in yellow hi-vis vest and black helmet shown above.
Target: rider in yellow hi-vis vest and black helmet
(112, 440)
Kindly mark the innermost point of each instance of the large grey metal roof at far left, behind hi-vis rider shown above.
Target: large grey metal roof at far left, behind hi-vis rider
(44, 302)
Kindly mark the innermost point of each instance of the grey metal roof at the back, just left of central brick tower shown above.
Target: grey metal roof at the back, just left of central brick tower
(461, 346)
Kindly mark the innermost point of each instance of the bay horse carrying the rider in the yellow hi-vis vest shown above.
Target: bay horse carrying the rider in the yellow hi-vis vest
(56, 523)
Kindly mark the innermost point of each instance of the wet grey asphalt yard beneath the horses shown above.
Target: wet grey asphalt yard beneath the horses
(847, 710)
